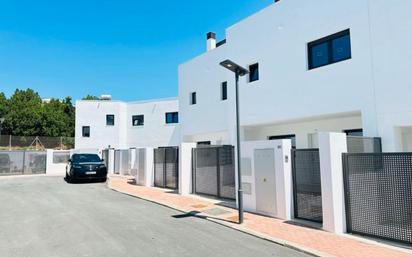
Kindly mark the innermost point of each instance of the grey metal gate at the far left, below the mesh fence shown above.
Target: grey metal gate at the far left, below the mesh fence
(22, 162)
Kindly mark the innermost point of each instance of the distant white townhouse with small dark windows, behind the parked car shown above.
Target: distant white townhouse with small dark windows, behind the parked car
(105, 124)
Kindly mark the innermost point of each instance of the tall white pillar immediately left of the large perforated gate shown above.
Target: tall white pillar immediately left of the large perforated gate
(331, 147)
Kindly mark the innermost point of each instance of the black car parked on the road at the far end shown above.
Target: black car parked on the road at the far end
(86, 167)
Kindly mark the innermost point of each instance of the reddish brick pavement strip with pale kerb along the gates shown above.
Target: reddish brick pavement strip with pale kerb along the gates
(309, 240)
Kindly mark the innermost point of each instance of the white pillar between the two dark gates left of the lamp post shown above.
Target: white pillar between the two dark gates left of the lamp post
(185, 168)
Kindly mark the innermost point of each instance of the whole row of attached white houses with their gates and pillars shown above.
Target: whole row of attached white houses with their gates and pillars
(320, 72)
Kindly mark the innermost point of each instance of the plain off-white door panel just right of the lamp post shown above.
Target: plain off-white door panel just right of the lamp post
(265, 181)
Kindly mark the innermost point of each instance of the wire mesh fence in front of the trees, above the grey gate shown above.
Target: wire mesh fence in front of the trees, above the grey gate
(35, 142)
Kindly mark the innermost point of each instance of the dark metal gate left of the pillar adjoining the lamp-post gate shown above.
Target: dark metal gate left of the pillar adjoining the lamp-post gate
(166, 167)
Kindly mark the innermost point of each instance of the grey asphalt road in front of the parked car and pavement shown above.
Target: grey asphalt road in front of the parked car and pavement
(45, 217)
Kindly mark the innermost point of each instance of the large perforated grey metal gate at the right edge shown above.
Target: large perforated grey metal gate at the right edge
(378, 195)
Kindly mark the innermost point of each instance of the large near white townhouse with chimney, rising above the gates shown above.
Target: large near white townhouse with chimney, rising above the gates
(315, 66)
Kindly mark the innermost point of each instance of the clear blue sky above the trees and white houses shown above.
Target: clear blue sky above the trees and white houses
(130, 49)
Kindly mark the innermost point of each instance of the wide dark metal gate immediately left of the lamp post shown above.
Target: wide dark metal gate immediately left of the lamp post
(214, 171)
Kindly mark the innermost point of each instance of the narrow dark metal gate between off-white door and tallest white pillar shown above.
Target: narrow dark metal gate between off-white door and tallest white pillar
(307, 191)
